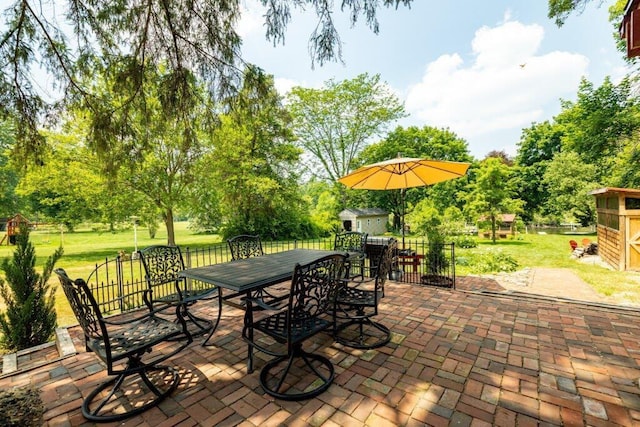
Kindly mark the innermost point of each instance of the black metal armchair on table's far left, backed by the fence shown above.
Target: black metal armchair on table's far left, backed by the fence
(162, 263)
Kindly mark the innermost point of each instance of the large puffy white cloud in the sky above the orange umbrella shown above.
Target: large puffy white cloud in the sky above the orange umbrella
(507, 85)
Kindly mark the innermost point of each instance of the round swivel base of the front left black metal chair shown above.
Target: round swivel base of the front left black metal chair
(103, 410)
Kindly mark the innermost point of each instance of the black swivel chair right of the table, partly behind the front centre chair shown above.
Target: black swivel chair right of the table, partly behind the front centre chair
(357, 304)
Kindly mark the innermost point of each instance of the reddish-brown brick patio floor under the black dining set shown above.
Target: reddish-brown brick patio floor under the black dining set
(457, 358)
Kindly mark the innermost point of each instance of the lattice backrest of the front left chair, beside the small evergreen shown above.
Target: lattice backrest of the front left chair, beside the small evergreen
(84, 307)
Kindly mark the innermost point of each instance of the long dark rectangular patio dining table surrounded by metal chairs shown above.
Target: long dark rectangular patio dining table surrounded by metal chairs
(249, 275)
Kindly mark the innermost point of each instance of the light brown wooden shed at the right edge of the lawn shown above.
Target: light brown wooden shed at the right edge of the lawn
(619, 227)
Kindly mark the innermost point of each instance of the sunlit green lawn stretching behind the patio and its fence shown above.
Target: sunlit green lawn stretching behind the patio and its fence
(86, 247)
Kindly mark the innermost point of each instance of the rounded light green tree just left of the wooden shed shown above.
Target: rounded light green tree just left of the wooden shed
(568, 181)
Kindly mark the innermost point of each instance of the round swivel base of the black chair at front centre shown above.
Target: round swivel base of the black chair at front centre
(323, 381)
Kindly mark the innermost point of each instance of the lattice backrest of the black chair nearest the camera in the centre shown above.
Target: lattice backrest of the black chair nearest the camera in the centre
(314, 287)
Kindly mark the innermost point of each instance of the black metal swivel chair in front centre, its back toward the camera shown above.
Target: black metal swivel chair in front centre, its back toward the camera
(311, 298)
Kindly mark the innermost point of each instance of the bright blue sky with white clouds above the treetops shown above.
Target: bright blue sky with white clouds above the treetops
(456, 64)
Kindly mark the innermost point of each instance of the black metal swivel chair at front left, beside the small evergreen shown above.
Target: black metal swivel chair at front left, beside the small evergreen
(130, 340)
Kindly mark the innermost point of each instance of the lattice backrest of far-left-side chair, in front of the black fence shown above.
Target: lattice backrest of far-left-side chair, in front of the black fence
(162, 263)
